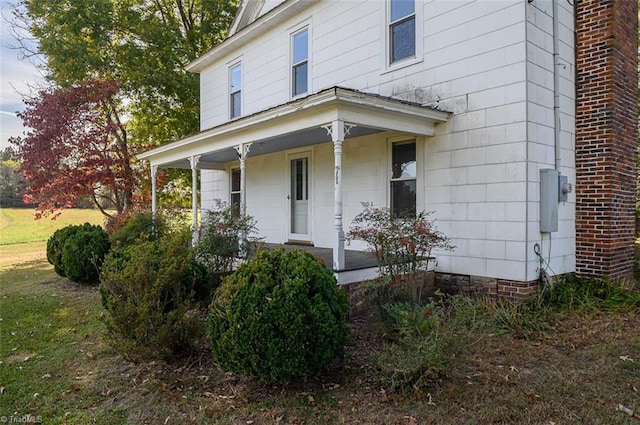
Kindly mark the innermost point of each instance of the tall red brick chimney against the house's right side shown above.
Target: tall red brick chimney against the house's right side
(606, 136)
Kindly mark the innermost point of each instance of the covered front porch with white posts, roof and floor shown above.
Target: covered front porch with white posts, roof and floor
(333, 115)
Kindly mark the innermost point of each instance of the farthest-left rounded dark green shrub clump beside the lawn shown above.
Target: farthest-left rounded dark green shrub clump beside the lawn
(77, 252)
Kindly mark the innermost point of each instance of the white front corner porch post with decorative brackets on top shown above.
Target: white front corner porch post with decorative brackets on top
(337, 130)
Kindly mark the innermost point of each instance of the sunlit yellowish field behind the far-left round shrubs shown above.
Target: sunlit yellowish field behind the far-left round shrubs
(17, 225)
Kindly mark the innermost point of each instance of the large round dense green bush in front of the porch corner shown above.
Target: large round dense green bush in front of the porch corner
(281, 315)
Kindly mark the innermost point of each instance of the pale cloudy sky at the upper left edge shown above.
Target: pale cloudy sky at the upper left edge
(15, 78)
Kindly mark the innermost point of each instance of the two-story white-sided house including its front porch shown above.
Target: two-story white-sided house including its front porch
(466, 108)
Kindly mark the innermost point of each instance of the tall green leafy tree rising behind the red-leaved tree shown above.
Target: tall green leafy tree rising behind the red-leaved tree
(142, 44)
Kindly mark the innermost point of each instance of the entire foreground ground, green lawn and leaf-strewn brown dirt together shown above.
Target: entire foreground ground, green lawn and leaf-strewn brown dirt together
(56, 365)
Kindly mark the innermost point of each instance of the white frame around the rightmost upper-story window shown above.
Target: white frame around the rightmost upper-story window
(418, 57)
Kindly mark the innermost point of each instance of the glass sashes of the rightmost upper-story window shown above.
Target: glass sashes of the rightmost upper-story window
(402, 29)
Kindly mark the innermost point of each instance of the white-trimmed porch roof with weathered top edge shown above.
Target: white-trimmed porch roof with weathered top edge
(296, 124)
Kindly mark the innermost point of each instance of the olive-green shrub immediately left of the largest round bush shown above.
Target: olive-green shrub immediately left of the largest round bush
(148, 292)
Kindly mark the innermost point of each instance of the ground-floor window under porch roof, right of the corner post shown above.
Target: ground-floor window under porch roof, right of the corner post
(403, 179)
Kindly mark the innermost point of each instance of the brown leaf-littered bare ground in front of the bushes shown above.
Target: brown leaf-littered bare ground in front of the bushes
(576, 372)
